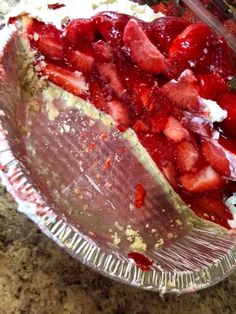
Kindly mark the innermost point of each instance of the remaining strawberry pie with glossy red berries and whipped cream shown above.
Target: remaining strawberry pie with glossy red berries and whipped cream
(163, 76)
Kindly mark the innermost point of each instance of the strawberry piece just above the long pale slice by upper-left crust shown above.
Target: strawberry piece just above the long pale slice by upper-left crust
(79, 60)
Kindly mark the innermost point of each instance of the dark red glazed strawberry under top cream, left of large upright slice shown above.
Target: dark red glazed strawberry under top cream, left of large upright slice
(110, 25)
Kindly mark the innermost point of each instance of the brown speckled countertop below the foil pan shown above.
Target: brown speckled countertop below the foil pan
(38, 277)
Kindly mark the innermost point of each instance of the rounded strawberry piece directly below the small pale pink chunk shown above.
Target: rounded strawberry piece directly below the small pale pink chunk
(186, 156)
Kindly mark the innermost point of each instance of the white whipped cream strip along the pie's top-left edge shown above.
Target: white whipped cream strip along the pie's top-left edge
(81, 9)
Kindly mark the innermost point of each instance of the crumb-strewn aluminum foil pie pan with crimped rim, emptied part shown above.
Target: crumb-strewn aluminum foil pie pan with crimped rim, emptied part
(74, 174)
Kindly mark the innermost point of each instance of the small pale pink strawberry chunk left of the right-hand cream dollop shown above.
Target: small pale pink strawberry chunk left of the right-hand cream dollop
(175, 131)
